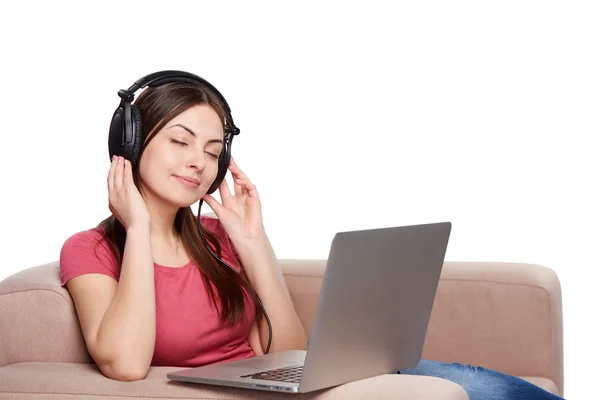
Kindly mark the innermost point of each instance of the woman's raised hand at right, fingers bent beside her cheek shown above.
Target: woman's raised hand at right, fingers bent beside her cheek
(240, 214)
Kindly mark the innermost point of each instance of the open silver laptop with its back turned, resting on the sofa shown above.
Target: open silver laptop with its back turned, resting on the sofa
(371, 317)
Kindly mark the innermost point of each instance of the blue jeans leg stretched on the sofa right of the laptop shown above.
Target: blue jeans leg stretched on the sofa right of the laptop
(481, 383)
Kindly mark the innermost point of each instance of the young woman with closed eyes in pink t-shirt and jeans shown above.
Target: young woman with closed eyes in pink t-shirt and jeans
(145, 287)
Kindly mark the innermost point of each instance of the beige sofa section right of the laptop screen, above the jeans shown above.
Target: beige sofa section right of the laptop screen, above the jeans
(502, 316)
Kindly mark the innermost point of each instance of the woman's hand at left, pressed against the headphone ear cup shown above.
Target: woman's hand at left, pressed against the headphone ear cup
(124, 199)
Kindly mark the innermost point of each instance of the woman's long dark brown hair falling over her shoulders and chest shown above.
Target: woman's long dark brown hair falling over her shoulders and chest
(159, 105)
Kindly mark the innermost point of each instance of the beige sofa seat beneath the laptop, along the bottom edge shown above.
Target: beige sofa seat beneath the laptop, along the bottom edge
(85, 381)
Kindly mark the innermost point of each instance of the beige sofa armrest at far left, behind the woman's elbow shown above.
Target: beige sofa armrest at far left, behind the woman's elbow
(38, 321)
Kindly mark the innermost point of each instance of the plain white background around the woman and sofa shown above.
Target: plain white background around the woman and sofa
(352, 115)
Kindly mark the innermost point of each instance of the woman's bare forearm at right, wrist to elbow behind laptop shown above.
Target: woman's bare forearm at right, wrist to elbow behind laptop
(260, 265)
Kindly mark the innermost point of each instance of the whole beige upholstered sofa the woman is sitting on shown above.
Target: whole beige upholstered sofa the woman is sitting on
(503, 316)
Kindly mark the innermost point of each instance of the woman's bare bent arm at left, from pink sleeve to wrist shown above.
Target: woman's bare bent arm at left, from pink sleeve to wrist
(118, 320)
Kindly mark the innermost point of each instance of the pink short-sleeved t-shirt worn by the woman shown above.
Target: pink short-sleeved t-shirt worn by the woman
(188, 331)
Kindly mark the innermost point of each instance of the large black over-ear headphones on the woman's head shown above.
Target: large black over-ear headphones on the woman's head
(125, 134)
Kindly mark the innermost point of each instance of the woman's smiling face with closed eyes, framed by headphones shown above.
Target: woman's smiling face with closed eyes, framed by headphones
(185, 149)
